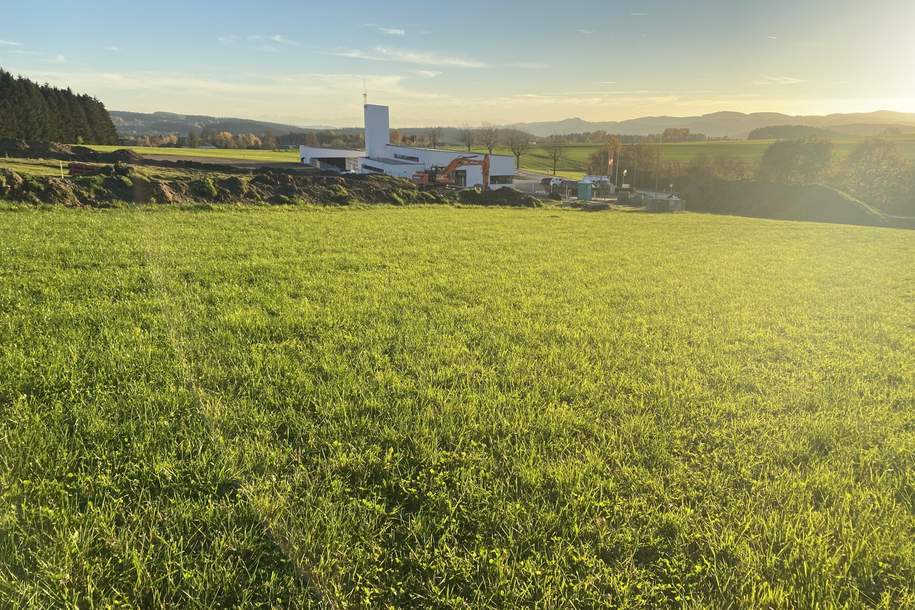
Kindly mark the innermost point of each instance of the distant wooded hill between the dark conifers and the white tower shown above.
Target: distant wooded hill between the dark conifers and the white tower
(159, 123)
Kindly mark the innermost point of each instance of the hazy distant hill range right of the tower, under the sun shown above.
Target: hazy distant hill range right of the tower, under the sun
(727, 124)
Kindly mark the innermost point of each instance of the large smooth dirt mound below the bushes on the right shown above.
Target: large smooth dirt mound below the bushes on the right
(780, 201)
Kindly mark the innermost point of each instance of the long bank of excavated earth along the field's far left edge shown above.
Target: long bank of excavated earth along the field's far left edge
(204, 183)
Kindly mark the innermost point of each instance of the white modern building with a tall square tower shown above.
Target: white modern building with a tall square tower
(382, 157)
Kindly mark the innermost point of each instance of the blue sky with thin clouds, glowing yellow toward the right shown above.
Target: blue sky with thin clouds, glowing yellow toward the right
(470, 62)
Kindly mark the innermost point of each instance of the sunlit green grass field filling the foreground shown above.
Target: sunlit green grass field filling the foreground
(449, 407)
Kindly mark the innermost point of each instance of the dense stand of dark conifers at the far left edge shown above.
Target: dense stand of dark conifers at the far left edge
(33, 112)
